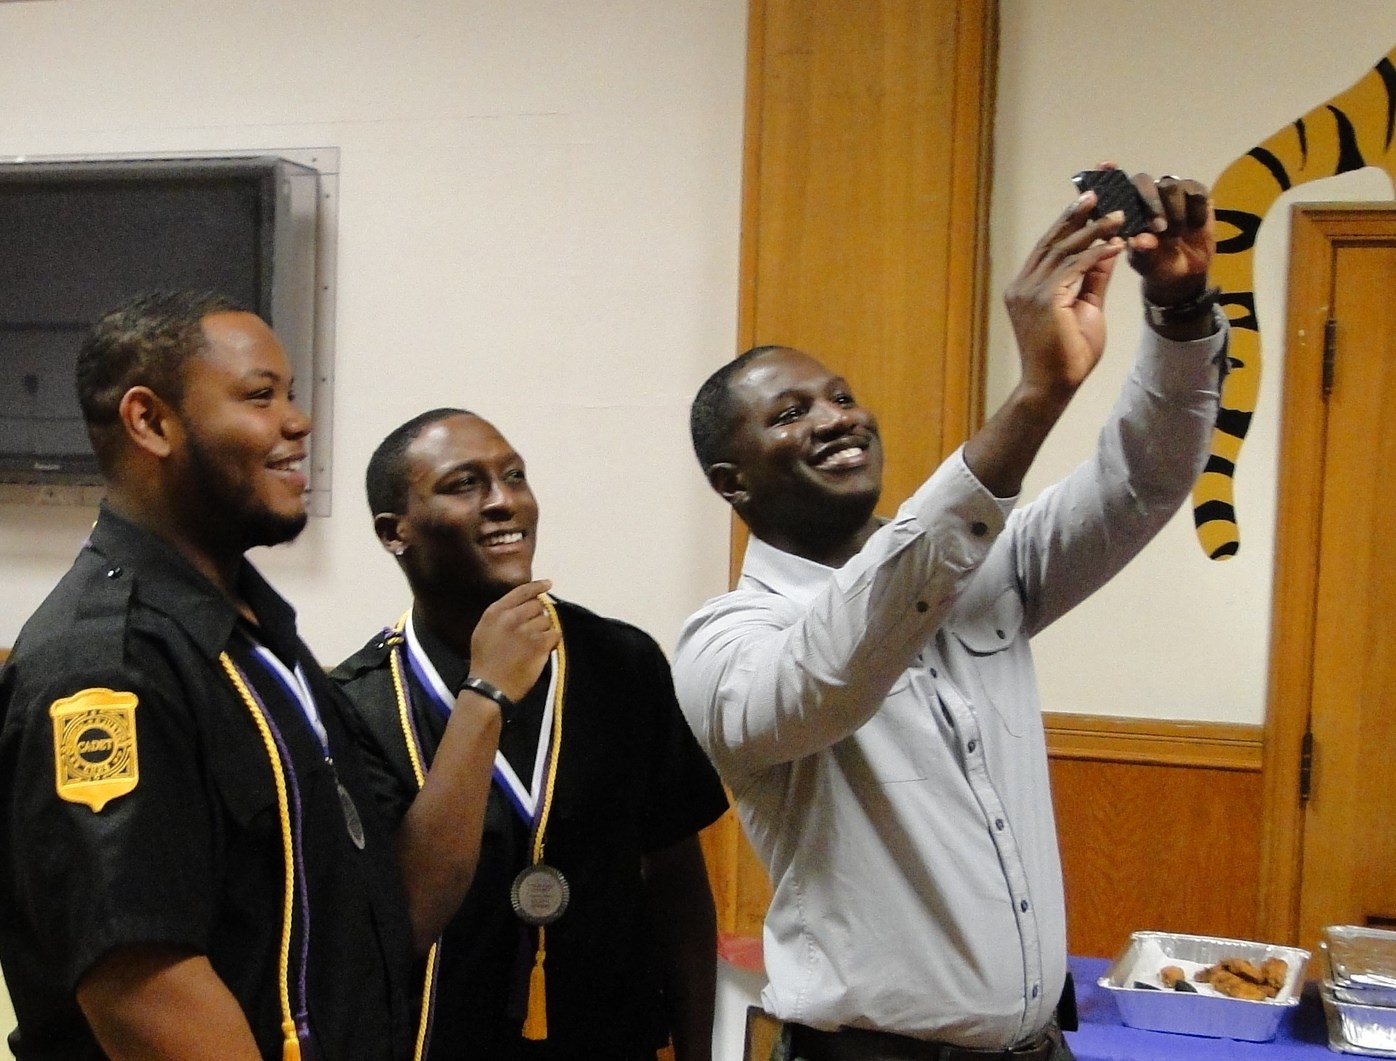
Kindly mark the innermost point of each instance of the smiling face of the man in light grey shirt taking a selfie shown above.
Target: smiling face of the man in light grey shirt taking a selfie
(805, 464)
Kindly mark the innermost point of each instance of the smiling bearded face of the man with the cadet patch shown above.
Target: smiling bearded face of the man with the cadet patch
(244, 436)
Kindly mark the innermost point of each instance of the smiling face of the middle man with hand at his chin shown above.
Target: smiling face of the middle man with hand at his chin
(470, 524)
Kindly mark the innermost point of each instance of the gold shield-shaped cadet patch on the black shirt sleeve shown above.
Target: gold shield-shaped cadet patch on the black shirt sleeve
(94, 746)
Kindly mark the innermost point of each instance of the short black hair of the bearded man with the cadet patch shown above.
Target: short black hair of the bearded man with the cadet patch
(146, 343)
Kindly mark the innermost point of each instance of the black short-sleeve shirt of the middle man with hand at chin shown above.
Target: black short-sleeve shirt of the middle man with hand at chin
(632, 781)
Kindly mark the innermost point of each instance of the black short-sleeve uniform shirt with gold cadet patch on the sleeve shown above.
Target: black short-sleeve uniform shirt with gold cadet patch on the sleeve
(154, 819)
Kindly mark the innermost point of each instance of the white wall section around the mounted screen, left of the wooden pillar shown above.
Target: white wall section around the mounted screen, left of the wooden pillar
(538, 220)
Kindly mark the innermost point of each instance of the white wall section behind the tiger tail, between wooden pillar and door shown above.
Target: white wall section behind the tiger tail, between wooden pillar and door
(1166, 89)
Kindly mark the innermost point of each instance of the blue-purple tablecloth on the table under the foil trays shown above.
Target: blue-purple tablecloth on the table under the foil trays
(1104, 1037)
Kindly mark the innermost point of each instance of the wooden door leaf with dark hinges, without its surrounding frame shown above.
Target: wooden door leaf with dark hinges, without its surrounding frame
(1351, 816)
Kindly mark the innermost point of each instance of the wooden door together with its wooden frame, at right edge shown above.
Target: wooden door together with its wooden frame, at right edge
(1337, 572)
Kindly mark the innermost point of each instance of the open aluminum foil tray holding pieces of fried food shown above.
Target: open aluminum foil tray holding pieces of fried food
(1205, 1013)
